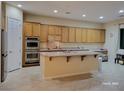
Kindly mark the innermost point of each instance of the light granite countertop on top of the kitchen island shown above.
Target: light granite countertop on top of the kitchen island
(69, 53)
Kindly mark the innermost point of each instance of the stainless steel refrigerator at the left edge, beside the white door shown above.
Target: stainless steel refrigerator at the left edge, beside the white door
(3, 55)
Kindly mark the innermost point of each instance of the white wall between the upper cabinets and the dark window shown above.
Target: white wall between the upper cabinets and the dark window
(112, 38)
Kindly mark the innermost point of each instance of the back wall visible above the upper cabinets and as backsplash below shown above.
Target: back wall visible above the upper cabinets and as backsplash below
(65, 22)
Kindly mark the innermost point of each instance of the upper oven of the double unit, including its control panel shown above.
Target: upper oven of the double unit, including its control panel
(32, 43)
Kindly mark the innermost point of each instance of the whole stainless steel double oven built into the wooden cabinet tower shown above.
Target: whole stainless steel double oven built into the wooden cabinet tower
(32, 46)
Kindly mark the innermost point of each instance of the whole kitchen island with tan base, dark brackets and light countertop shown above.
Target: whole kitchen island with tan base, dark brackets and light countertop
(67, 63)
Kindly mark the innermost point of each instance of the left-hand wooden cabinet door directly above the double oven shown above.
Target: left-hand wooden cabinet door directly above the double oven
(28, 29)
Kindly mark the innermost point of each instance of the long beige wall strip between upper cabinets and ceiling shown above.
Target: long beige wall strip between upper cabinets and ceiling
(60, 21)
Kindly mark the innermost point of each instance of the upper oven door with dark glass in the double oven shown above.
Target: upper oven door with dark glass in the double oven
(30, 44)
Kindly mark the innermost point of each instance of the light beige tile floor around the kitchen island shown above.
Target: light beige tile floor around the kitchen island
(29, 79)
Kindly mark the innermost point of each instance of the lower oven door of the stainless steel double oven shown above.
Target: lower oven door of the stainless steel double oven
(32, 57)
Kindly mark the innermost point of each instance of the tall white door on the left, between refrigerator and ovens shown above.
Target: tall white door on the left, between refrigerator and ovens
(14, 44)
